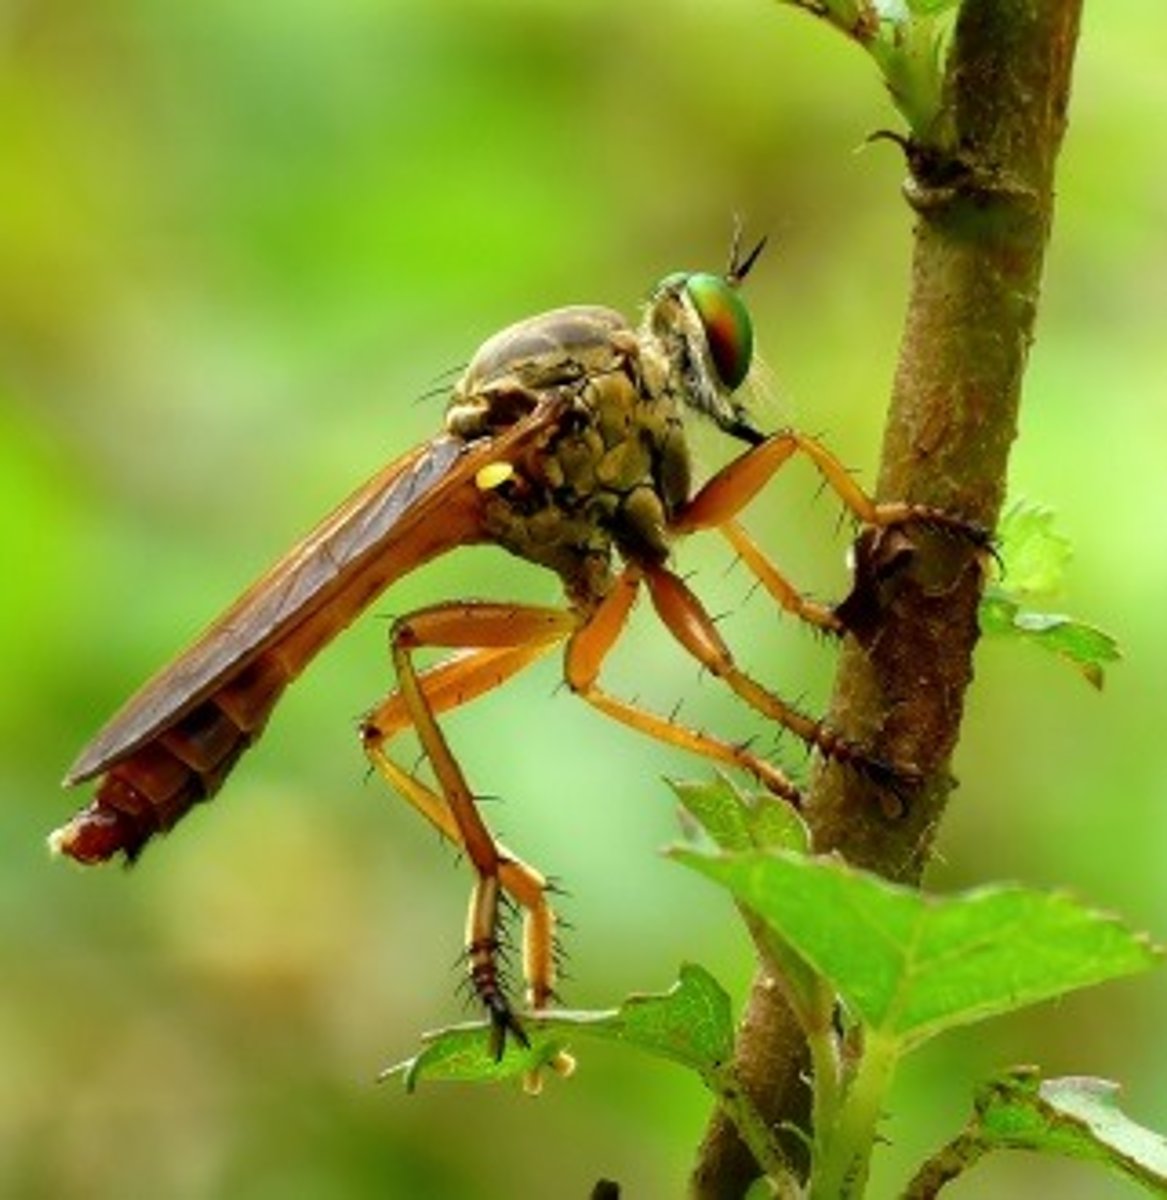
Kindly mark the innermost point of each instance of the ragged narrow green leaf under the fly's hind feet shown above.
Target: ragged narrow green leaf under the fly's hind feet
(691, 1024)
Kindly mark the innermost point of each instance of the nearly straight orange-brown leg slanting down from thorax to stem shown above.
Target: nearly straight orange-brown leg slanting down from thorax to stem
(687, 620)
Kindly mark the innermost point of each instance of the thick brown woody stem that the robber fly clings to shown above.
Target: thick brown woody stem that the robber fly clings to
(984, 197)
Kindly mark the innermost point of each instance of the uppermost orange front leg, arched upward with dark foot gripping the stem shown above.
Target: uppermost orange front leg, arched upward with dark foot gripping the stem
(737, 484)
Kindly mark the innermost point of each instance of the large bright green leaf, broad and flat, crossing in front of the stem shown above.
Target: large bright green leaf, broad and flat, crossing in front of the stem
(911, 965)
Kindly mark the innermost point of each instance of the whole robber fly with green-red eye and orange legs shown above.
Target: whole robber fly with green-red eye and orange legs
(566, 445)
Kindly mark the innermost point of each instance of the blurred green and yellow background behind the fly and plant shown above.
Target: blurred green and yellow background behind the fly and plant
(238, 242)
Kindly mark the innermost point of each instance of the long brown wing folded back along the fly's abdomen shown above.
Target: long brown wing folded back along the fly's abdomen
(423, 503)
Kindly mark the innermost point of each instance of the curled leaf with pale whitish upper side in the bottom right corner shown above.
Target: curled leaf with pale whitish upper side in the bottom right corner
(1076, 1117)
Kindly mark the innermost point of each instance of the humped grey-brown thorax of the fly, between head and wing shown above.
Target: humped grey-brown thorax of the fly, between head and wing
(612, 469)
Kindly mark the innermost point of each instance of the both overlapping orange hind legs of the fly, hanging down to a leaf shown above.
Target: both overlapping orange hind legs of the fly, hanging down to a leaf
(500, 641)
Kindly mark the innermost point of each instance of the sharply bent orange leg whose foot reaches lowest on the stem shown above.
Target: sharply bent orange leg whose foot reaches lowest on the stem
(587, 651)
